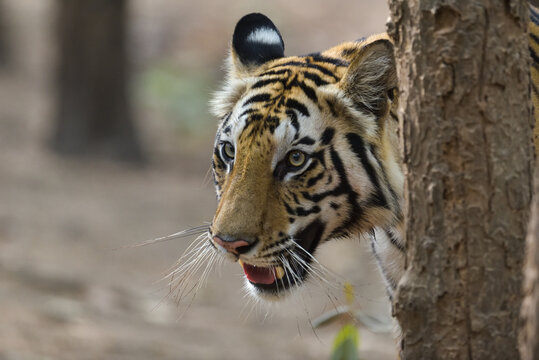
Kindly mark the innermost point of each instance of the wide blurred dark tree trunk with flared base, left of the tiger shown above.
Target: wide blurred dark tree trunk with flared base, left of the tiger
(94, 115)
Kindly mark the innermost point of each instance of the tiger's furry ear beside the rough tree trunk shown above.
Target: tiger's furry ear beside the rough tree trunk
(371, 77)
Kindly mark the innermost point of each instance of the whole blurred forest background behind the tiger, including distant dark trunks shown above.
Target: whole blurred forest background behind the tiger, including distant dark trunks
(105, 141)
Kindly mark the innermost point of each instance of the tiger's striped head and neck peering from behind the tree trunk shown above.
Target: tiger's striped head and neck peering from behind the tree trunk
(306, 151)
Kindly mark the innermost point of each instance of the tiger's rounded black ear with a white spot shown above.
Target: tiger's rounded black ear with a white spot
(256, 40)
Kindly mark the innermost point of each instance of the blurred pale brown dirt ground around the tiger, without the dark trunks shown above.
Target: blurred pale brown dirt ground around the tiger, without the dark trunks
(70, 287)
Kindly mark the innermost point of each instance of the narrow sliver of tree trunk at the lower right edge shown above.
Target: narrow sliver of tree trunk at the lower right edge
(529, 341)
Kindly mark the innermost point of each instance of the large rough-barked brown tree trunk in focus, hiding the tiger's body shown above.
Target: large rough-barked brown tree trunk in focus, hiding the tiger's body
(466, 127)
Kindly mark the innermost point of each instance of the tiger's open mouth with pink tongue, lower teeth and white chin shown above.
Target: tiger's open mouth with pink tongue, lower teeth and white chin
(292, 268)
